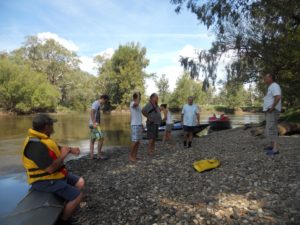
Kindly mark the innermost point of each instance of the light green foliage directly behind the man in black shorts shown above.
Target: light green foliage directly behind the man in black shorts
(186, 87)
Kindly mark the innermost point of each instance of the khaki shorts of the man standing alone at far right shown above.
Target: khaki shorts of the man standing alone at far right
(271, 125)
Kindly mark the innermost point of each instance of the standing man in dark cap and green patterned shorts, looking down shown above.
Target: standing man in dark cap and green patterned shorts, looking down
(96, 132)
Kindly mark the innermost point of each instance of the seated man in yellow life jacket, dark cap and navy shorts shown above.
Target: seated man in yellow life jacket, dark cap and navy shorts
(43, 160)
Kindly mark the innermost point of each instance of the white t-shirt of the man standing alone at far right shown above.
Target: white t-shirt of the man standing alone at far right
(273, 90)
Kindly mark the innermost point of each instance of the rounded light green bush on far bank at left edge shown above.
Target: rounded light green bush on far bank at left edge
(24, 90)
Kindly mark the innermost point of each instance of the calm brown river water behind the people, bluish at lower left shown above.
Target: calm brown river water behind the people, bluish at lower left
(71, 129)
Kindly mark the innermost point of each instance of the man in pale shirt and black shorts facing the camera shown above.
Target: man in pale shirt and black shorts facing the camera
(190, 118)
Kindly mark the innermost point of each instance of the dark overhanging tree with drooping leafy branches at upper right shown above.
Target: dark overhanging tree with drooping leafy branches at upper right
(263, 34)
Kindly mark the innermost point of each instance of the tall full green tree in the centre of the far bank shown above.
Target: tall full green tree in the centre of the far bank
(123, 73)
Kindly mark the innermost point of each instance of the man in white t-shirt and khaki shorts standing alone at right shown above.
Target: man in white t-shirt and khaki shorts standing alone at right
(272, 109)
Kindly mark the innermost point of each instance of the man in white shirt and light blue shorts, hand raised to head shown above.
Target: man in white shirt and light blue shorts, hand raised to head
(136, 126)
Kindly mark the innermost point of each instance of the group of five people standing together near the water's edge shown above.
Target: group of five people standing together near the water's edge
(190, 118)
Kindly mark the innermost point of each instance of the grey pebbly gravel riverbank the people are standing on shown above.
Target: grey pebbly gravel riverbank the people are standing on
(248, 188)
